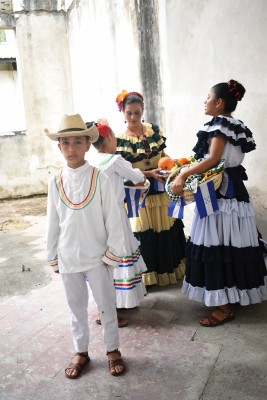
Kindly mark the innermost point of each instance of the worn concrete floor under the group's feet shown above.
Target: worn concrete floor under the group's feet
(168, 354)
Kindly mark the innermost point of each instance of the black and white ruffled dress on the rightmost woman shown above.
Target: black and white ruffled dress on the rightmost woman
(225, 262)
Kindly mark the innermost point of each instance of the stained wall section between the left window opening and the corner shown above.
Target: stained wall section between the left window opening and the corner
(43, 62)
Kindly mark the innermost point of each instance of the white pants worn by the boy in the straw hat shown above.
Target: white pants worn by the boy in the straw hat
(101, 283)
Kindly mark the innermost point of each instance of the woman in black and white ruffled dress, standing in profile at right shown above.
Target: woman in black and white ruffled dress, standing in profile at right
(225, 262)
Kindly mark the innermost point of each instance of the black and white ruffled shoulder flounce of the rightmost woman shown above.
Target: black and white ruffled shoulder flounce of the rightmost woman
(232, 129)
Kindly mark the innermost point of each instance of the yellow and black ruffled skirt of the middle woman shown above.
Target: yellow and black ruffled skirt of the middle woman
(162, 241)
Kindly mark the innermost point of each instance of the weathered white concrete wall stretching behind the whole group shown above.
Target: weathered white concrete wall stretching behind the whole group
(80, 61)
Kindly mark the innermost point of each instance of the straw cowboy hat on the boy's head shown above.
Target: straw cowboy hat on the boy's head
(73, 125)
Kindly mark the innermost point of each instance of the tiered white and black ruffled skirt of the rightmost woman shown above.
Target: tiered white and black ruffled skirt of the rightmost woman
(225, 263)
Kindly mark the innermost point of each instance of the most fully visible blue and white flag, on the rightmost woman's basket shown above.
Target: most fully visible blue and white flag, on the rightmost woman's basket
(206, 200)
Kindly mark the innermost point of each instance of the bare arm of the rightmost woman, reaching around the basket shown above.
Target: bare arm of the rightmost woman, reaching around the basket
(215, 153)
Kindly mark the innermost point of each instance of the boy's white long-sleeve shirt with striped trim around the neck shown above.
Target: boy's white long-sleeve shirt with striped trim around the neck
(83, 221)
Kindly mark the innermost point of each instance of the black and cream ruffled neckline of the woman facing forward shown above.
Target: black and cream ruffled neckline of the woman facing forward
(133, 150)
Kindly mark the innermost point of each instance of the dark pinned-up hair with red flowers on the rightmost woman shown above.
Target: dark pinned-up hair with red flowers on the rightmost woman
(231, 92)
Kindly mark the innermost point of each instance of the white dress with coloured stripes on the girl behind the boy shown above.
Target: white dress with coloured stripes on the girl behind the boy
(130, 289)
